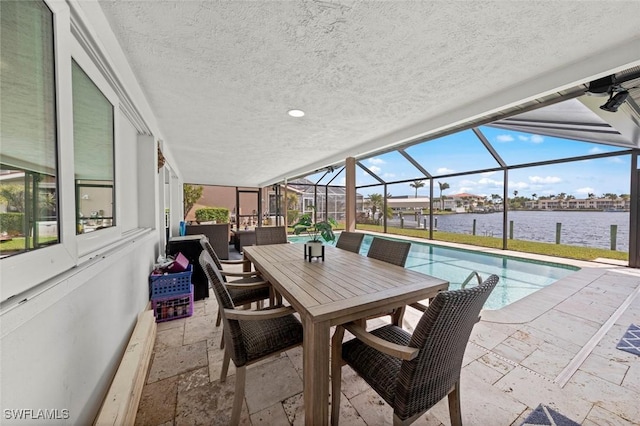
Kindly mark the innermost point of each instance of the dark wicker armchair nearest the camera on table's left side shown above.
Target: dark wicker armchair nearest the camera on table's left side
(250, 335)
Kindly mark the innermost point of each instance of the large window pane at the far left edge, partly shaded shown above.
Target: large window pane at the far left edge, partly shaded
(28, 162)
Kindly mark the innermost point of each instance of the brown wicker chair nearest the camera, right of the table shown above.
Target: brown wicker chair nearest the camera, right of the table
(413, 372)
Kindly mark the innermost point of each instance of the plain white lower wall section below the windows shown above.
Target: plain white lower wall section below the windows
(61, 349)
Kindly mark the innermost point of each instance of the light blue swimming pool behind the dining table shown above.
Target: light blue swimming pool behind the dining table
(518, 277)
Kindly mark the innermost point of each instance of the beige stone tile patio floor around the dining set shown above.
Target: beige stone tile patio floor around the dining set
(518, 357)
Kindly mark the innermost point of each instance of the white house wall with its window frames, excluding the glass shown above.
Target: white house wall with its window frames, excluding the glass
(63, 333)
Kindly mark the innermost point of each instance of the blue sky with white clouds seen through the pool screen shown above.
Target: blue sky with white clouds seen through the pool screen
(463, 152)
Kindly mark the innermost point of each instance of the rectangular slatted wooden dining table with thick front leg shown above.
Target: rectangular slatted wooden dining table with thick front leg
(344, 287)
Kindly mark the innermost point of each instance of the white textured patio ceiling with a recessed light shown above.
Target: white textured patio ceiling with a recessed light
(220, 76)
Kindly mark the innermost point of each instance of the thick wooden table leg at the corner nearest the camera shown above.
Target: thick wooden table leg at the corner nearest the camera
(316, 372)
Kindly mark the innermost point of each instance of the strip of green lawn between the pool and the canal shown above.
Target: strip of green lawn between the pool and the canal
(549, 249)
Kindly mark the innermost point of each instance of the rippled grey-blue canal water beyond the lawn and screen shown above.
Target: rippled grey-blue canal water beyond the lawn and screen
(587, 229)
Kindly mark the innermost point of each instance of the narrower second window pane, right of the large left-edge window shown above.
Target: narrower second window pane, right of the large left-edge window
(93, 136)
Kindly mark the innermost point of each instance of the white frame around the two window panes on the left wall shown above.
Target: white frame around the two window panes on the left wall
(23, 274)
